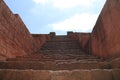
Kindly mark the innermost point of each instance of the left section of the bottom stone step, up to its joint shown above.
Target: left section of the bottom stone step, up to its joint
(24, 75)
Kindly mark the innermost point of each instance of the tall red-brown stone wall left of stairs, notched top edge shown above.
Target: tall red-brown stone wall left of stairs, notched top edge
(15, 39)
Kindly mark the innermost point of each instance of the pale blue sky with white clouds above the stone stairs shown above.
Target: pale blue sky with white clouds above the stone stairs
(60, 16)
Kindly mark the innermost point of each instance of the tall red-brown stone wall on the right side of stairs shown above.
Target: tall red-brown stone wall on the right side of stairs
(105, 38)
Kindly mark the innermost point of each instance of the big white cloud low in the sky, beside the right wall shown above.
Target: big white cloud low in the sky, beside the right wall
(79, 22)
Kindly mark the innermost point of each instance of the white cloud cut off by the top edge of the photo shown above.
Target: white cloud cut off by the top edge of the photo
(64, 4)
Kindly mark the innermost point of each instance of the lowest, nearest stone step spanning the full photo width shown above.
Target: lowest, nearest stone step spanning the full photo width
(93, 74)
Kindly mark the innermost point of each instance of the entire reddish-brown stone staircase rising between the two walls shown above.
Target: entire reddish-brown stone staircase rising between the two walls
(60, 58)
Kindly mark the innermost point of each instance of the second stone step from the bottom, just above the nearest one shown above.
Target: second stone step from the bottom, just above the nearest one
(51, 65)
